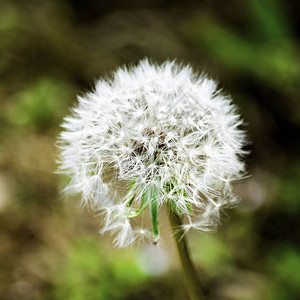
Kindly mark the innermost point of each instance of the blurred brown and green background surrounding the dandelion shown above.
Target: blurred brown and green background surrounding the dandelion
(51, 51)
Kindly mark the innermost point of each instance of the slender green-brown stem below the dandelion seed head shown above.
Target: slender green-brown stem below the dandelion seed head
(190, 274)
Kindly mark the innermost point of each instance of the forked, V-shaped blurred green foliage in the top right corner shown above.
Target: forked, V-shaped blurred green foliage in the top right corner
(267, 53)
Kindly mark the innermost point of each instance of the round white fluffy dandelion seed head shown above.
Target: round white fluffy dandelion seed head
(153, 135)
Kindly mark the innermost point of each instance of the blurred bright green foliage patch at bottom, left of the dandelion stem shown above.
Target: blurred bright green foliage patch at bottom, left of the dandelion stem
(90, 273)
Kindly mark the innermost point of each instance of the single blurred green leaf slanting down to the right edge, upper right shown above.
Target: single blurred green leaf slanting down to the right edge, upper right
(275, 62)
